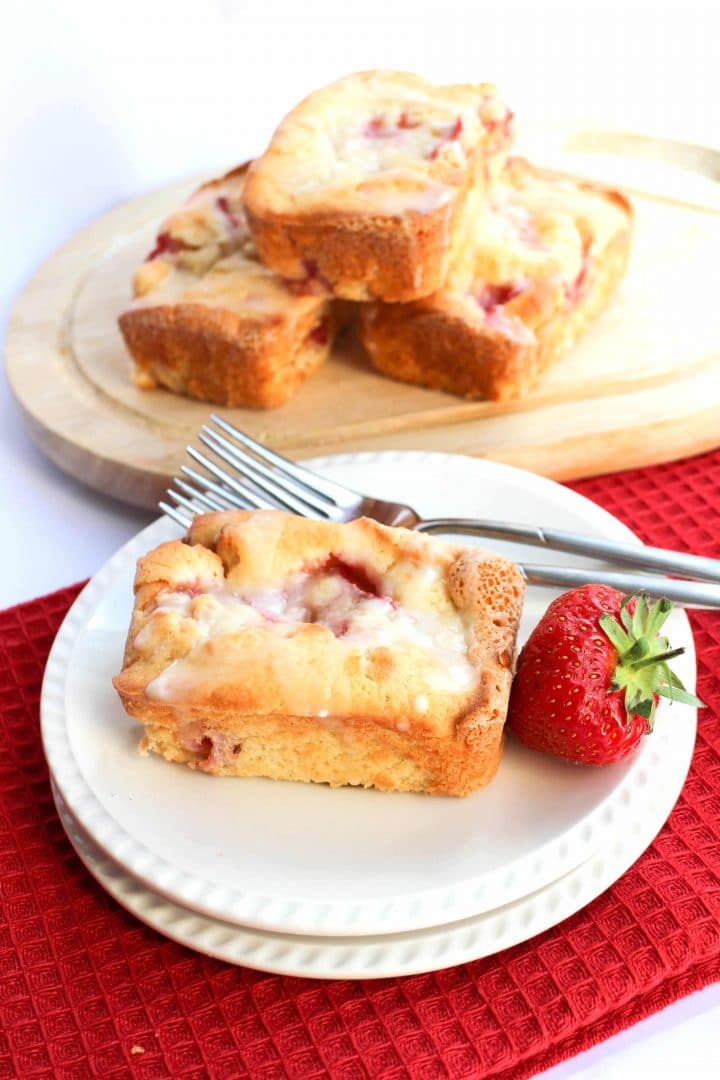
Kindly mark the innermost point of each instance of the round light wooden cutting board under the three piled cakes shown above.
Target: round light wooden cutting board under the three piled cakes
(643, 387)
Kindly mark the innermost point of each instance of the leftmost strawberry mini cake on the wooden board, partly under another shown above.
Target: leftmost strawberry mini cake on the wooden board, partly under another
(210, 321)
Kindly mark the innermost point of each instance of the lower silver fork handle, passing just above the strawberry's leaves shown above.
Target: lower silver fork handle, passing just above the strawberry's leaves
(696, 595)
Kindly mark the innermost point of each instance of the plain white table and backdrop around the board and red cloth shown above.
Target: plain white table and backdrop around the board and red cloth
(102, 103)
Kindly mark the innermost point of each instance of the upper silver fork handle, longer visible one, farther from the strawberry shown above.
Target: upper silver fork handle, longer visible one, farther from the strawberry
(630, 555)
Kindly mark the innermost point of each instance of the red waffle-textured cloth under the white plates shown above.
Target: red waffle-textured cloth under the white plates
(84, 984)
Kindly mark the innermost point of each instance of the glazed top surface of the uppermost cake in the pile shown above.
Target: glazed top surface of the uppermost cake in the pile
(379, 143)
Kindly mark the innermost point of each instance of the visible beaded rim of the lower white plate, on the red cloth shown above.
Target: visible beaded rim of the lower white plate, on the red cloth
(389, 955)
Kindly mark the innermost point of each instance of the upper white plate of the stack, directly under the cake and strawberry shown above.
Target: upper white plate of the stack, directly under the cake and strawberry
(305, 859)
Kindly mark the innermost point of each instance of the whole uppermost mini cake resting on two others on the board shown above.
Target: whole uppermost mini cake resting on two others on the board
(384, 228)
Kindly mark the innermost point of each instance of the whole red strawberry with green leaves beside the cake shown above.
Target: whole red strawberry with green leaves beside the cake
(590, 677)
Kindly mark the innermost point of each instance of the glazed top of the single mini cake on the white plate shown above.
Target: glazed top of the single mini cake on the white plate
(270, 614)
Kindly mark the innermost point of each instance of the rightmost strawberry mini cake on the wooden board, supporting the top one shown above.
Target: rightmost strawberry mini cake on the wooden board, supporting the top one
(542, 261)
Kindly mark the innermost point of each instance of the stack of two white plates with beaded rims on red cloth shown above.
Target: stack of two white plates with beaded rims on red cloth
(306, 881)
